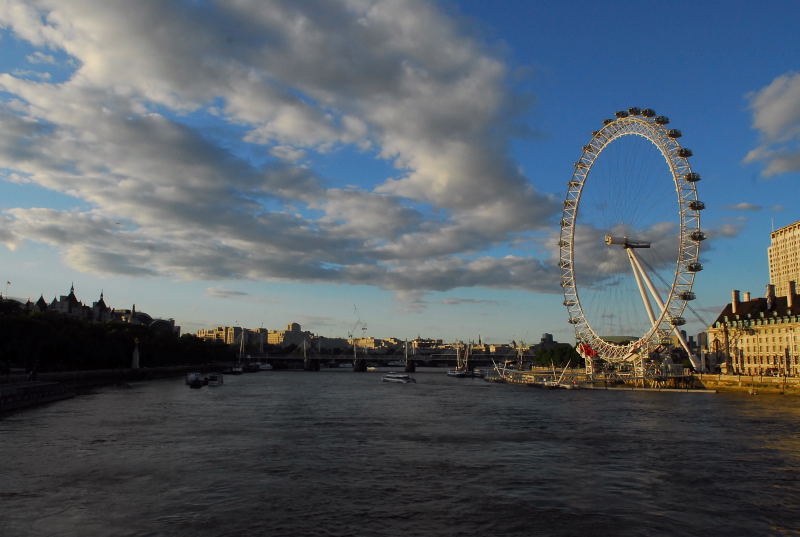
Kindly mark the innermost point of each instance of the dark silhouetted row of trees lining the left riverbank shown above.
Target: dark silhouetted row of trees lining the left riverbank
(53, 342)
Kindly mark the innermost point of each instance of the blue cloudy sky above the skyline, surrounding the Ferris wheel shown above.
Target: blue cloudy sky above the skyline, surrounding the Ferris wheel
(389, 168)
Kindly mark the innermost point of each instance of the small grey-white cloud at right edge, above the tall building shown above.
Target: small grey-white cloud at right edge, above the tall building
(776, 115)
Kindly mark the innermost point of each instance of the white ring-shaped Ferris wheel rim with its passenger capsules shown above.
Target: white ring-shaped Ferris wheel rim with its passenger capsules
(676, 156)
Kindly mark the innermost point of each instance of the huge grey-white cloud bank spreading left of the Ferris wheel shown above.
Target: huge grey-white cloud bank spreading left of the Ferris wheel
(186, 131)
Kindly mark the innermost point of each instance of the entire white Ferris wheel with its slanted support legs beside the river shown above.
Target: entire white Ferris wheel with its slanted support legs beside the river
(630, 240)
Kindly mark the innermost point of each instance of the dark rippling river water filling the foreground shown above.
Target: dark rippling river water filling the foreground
(340, 453)
